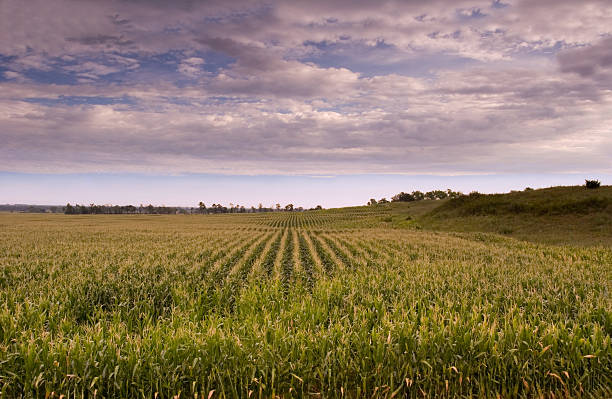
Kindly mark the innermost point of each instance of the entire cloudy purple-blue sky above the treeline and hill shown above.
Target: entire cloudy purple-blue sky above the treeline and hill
(314, 102)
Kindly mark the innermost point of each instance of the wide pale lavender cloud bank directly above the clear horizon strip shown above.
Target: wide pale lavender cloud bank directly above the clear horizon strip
(414, 128)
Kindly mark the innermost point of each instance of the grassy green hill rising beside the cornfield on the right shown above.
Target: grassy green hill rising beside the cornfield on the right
(556, 215)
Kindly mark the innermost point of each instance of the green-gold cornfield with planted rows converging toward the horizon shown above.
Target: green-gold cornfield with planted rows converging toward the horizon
(357, 302)
